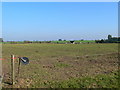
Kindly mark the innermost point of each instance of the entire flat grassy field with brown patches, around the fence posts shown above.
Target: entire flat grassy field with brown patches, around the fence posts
(63, 65)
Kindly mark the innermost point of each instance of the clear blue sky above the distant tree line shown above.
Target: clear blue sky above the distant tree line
(65, 20)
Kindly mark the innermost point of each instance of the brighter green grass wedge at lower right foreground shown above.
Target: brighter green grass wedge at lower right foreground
(100, 81)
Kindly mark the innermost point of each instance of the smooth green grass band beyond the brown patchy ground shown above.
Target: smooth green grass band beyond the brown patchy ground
(33, 50)
